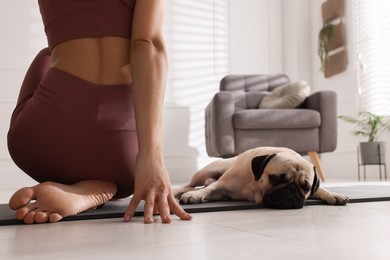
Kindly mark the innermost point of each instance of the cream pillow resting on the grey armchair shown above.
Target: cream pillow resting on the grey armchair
(287, 96)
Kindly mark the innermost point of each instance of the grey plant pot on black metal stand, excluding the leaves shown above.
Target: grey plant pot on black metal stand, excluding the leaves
(372, 152)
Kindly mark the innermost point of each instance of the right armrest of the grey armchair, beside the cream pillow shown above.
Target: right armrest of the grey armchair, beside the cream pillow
(325, 102)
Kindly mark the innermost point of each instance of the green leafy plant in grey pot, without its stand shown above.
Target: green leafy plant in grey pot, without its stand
(370, 126)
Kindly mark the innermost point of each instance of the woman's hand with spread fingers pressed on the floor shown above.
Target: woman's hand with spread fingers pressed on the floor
(152, 184)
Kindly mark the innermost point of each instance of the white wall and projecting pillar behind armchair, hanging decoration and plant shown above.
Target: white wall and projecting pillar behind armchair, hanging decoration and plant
(301, 24)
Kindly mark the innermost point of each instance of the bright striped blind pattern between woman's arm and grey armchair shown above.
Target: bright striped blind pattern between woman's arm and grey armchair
(198, 46)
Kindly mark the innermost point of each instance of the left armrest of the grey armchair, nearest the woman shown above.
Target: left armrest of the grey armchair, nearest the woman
(219, 130)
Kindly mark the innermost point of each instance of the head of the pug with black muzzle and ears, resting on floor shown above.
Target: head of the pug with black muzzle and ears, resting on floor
(289, 179)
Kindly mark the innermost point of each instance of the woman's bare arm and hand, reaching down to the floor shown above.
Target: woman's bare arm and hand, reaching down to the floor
(148, 63)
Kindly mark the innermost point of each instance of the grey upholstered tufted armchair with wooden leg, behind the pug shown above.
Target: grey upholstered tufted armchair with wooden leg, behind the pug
(234, 123)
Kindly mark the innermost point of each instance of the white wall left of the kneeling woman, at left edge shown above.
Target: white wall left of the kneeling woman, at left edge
(22, 37)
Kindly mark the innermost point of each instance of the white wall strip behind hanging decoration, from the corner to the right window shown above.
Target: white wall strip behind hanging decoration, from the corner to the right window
(343, 162)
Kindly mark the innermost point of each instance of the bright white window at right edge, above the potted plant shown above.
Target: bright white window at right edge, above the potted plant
(373, 53)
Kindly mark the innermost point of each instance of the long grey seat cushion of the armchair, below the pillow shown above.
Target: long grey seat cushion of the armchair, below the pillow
(276, 119)
